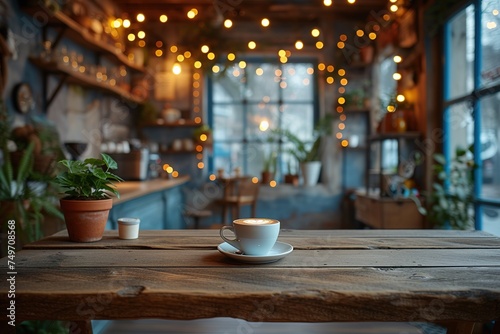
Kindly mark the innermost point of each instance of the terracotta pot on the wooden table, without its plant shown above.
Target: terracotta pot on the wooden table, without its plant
(86, 219)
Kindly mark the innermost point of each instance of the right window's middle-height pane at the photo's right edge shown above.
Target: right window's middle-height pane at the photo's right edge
(490, 146)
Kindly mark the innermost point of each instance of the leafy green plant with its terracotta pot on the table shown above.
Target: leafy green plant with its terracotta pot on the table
(89, 187)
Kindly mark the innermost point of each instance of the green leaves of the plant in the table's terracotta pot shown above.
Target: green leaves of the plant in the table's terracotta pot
(87, 179)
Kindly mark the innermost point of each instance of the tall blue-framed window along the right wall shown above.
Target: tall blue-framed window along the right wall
(472, 100)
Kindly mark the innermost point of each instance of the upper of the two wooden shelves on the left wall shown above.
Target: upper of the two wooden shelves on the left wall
(82, 36)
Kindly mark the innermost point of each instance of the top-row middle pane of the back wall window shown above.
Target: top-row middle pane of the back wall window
(263, 83)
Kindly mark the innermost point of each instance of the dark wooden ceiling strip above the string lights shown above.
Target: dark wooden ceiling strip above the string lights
(252, 10)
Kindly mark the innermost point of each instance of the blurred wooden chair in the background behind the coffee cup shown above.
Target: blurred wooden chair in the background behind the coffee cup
(239, 192)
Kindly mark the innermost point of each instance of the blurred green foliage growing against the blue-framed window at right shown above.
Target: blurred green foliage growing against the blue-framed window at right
(451, 199)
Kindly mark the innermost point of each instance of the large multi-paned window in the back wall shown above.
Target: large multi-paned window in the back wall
(247, 103)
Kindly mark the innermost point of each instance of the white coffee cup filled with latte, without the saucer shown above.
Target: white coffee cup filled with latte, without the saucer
(253, 236)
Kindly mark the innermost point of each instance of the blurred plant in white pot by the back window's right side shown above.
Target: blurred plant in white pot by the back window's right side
(308, 153)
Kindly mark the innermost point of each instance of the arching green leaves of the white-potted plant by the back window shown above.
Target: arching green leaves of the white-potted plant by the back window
(305, 151)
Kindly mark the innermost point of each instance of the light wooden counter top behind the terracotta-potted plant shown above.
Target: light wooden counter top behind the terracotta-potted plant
(134, 189)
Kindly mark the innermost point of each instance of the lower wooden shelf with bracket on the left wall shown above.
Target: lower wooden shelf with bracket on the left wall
(74, 77)
